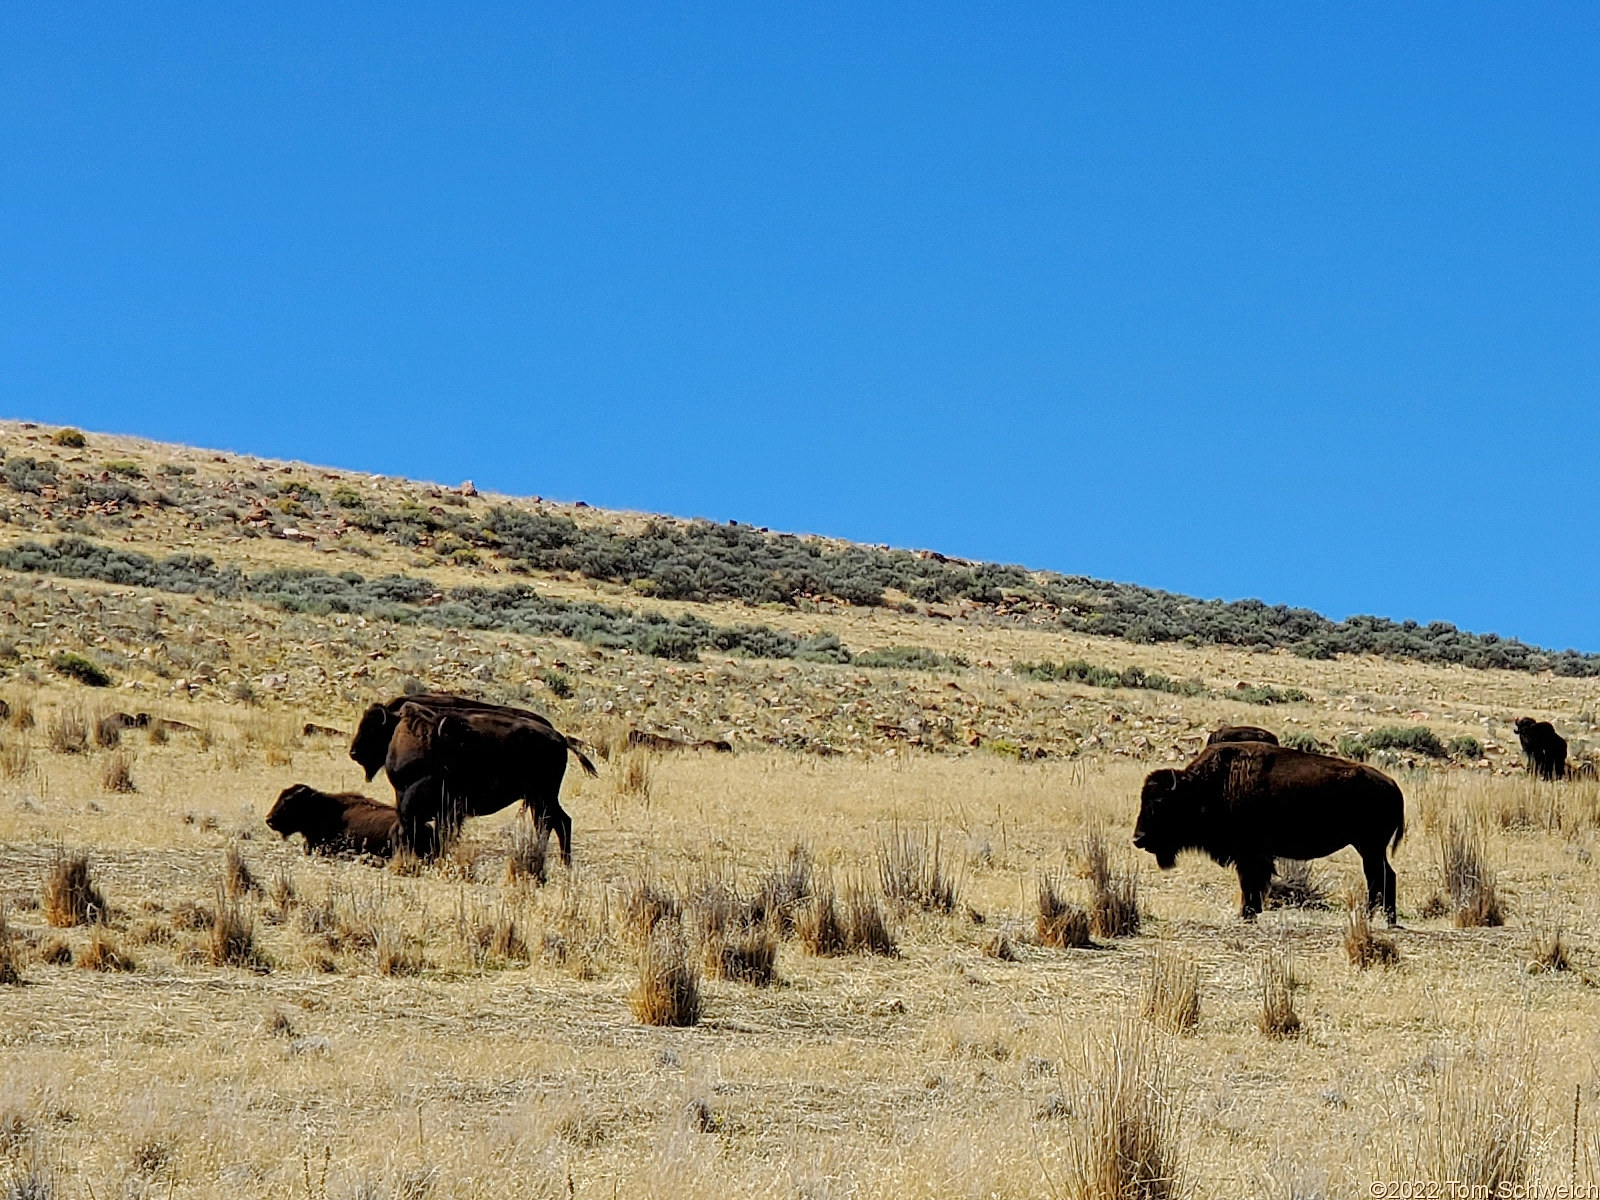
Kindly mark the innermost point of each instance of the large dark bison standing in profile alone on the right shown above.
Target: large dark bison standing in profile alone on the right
(1247, 804)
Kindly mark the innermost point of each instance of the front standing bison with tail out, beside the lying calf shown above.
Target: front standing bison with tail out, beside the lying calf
(458, 762)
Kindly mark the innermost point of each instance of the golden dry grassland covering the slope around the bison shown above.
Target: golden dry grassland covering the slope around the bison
(236, 1018)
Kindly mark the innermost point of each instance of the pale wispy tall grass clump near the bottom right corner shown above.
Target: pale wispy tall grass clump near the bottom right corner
(1482, 1130)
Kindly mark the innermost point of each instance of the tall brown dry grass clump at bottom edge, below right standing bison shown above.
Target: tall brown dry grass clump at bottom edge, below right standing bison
(1127, 1148)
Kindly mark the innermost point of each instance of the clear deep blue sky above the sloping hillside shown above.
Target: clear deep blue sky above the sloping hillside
(1282, 302)
